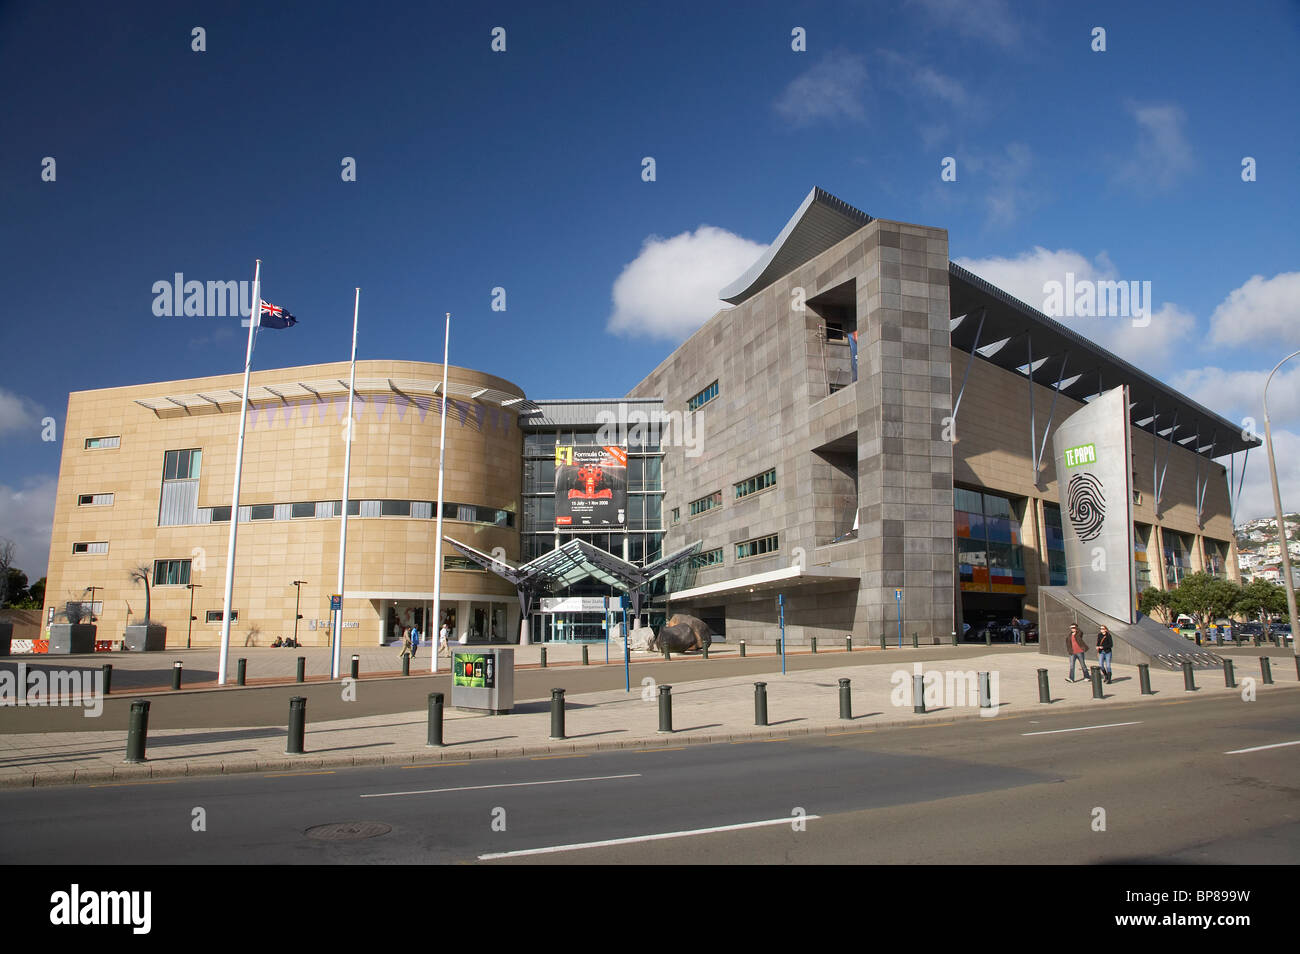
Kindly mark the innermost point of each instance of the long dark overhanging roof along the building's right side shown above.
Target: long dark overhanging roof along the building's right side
(1011, 328)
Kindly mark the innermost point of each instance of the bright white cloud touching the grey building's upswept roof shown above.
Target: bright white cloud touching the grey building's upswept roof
(671, 288)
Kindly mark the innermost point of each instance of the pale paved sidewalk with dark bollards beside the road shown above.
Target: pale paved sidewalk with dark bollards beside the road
(801, 704)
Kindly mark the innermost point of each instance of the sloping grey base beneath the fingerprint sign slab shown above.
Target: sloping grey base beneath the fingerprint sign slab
(1145, 641)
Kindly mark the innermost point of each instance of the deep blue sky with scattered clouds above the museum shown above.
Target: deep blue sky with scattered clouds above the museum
(523, 170)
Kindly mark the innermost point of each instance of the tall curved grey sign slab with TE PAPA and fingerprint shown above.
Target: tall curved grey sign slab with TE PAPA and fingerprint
(1094, 470)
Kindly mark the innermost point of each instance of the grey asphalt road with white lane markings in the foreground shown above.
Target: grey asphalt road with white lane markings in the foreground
(1019, 790)
